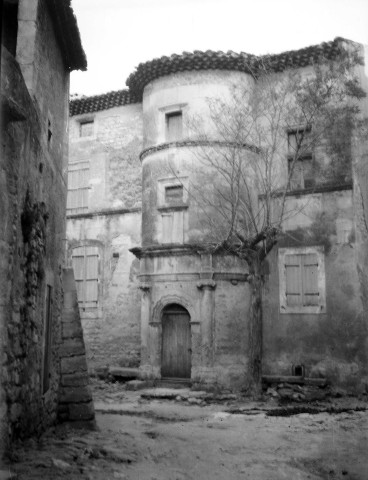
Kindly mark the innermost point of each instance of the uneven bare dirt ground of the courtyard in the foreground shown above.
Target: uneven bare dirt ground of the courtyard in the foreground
(182, 435)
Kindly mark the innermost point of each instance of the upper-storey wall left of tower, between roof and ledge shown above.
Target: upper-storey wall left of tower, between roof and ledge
(113, 152)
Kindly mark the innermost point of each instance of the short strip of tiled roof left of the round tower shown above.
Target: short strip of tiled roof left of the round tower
(101, 102)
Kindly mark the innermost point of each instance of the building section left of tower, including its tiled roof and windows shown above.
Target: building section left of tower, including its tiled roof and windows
(104, 222)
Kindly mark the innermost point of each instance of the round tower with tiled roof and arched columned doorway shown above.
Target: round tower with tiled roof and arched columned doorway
(194, 302)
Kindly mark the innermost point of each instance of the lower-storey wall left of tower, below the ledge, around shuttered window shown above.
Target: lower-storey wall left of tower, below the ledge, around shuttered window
(112, 332)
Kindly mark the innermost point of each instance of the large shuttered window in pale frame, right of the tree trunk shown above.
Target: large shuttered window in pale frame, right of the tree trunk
(302, 280)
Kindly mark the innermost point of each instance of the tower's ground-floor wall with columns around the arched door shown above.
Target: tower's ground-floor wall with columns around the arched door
(215, 294)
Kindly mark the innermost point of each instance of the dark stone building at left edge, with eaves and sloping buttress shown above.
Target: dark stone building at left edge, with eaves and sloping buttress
(40, 47)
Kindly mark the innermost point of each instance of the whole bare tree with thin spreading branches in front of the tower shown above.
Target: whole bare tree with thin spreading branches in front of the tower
(254, 152)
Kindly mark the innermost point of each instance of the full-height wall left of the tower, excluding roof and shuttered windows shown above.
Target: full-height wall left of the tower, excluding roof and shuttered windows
(112, 223)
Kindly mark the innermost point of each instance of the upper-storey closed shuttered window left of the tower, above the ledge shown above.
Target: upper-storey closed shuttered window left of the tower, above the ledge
(78, 186)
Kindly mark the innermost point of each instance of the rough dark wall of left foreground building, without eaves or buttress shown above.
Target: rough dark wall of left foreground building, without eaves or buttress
(33, 196)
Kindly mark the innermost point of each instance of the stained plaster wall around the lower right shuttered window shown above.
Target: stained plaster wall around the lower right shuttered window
(329, 344)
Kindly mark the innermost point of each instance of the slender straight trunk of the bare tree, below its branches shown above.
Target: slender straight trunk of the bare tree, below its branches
(255, 330)
